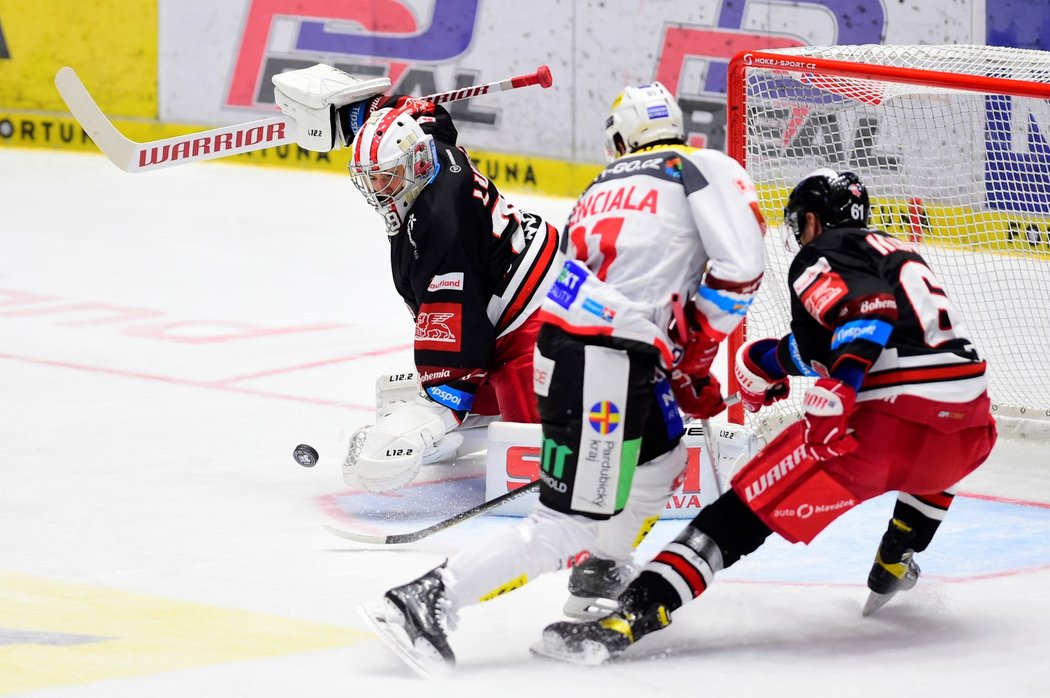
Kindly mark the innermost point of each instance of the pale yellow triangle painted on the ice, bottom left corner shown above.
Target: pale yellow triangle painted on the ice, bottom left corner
(55, 633)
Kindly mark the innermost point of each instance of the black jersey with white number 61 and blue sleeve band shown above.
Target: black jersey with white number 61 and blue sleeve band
(863, 300)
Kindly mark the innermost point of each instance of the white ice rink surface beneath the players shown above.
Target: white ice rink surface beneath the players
(166, 340)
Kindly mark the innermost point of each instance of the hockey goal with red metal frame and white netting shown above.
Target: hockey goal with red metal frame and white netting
(954, 144)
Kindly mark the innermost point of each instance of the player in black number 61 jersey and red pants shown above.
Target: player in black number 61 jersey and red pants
(899, 405)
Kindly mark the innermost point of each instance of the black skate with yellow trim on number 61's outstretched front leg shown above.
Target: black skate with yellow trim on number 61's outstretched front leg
(595, 642)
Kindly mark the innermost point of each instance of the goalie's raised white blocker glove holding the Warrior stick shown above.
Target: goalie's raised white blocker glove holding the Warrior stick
(313, 96)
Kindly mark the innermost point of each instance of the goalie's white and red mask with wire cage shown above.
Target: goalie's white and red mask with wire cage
(392, 161)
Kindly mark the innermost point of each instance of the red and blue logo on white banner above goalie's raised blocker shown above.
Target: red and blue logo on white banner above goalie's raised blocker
(287, 35)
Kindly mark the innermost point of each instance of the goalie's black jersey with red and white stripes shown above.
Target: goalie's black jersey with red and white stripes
(472, 268)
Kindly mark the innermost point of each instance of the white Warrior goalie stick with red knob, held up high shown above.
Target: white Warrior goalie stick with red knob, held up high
(135, 157)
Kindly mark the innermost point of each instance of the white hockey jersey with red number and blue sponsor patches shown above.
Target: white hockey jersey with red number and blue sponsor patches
(655, 224)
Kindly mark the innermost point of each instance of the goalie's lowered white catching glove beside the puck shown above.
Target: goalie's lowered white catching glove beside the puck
(390, 454)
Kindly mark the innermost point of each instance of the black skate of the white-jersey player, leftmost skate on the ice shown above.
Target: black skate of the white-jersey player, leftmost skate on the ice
(412, 621)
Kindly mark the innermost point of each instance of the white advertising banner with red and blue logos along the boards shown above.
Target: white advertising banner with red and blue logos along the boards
(217, 59)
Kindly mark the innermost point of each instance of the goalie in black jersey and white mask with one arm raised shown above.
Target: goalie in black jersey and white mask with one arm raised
(471, 267)
